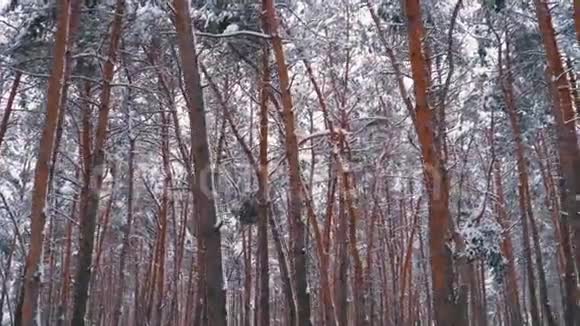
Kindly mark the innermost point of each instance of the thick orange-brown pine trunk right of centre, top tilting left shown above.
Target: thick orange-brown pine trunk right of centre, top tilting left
(435, 173)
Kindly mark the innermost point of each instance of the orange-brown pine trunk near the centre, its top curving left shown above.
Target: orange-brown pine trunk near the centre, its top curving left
(295, 205)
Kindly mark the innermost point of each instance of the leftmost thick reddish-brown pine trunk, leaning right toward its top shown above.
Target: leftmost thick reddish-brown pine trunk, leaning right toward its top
(32, 275)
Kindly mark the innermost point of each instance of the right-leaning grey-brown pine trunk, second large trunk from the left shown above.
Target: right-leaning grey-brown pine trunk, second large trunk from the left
(91, 207)
